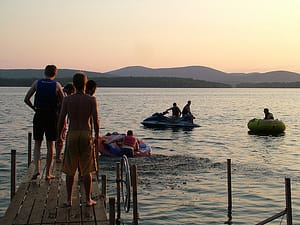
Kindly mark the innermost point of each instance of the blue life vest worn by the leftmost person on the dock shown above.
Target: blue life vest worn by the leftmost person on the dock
(46, 97)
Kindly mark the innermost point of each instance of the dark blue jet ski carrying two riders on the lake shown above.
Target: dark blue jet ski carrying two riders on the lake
(160, 120)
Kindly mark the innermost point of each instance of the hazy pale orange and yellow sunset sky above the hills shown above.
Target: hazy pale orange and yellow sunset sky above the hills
(103, 35)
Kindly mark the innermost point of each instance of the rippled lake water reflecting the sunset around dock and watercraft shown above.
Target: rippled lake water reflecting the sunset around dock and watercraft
(184, 182)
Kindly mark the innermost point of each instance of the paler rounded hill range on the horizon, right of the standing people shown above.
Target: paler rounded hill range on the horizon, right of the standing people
(209, 74)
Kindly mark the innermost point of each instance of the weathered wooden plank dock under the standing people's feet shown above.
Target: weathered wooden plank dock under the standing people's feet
(43, 202)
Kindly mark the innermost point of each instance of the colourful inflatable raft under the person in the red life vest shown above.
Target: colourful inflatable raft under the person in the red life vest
(113, 149)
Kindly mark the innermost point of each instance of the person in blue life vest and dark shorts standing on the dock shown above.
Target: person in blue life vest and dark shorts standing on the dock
(48, 96)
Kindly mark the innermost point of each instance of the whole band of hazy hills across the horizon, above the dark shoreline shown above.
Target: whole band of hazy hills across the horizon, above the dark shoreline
(190, 72)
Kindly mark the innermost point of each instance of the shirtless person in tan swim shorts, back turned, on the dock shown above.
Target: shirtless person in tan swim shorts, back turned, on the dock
(80, 108)
